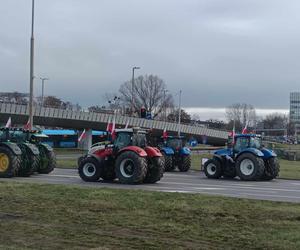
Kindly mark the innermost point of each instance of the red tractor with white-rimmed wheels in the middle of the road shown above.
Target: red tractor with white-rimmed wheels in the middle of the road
(128, 159)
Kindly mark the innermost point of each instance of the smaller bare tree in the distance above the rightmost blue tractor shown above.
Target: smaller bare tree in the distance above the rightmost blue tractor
(241, 114)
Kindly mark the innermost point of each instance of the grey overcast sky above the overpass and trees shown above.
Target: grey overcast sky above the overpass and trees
(217, 51)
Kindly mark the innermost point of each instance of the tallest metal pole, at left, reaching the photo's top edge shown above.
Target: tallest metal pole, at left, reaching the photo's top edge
(31, 69)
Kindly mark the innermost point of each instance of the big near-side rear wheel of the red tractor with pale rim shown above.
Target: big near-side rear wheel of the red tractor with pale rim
(131, 168)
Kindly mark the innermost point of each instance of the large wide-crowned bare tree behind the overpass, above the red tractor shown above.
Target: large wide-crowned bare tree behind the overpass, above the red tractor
(148, 92)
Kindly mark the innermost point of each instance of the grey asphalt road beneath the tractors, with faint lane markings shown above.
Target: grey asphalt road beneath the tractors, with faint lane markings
(190, 182)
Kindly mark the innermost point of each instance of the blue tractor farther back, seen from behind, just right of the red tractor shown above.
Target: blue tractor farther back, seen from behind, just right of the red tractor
(175, 153)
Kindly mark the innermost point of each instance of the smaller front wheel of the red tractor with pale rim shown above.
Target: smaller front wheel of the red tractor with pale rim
(90, 169)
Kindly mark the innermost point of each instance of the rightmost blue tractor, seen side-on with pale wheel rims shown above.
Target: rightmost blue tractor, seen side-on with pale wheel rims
(244, 157)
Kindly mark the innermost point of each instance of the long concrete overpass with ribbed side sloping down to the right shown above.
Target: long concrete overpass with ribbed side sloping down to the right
(52, 117)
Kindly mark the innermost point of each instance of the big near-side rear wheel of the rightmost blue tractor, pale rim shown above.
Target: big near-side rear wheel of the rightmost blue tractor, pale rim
(250, 167)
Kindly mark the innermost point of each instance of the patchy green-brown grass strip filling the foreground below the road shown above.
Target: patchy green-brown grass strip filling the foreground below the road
(37, 216)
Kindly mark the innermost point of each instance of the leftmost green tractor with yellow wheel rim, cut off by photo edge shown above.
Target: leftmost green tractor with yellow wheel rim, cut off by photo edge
(10, 156)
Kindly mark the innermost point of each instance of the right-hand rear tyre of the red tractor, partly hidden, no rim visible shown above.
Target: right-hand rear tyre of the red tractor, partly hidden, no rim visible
(155, 170)
